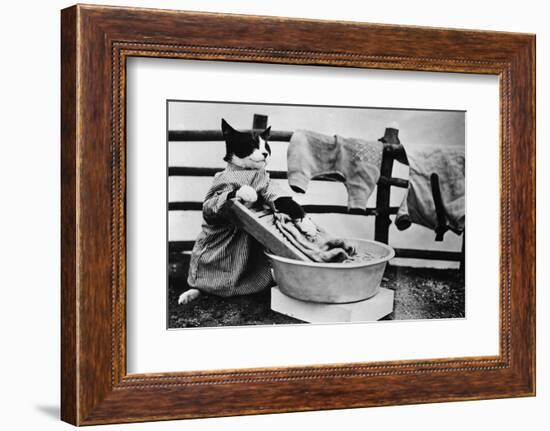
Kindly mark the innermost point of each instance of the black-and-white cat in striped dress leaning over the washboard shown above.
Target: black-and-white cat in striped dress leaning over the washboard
(227, 261)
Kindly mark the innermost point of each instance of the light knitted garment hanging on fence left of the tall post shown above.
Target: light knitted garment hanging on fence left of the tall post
(356, 162)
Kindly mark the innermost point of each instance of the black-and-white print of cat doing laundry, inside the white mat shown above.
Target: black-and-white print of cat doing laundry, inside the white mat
(293, 214)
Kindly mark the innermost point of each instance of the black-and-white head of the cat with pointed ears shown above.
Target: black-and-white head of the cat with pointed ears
(244, 149)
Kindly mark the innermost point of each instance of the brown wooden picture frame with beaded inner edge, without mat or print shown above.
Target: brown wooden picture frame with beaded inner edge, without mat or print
(95, 43)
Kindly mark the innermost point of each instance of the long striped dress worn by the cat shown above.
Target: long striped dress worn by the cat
(227, 261)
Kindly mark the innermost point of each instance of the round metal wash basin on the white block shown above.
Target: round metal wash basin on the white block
(333, 283)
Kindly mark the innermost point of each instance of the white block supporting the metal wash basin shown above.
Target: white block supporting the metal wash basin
(369, 310)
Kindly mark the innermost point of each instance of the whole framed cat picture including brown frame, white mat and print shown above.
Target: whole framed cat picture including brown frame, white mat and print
(279, 207)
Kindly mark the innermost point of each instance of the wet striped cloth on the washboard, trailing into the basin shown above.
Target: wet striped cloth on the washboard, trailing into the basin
(319, 247)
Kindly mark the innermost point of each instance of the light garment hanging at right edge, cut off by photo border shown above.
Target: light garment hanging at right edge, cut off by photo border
(418, 204)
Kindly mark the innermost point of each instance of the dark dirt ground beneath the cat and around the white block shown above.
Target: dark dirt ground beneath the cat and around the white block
(420, 293)
